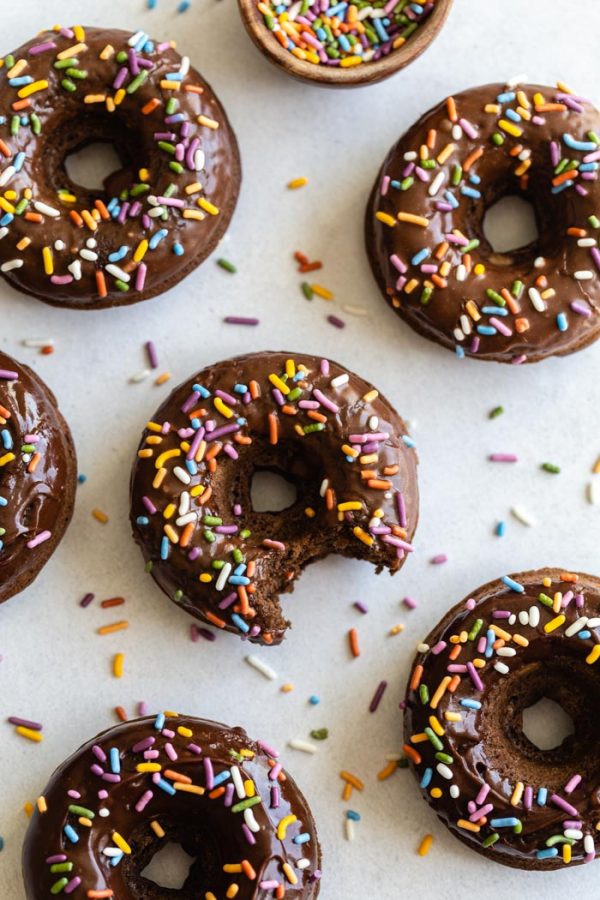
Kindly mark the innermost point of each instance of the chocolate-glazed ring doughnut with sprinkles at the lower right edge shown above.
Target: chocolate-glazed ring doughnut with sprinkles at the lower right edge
(487, 745)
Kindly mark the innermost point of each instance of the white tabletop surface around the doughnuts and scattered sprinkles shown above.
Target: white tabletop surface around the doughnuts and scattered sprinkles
(58, 670)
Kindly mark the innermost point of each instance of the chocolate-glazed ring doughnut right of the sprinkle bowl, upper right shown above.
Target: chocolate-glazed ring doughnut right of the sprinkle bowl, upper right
(555, 256)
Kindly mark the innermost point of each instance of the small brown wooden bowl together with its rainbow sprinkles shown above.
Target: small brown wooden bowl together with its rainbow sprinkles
(339, 43)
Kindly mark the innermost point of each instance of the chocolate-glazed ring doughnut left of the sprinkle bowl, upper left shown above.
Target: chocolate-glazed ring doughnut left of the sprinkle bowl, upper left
(67, 124)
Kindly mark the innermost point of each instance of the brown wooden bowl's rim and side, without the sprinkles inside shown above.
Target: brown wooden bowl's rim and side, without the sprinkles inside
(333, 76)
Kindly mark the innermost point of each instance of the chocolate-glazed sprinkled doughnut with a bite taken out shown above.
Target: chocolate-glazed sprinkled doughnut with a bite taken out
(307, 460)
